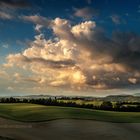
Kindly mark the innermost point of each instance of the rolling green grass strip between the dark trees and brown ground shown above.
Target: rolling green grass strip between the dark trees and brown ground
(37, 113)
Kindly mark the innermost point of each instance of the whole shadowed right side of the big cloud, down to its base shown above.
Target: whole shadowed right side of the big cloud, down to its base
(124, 50)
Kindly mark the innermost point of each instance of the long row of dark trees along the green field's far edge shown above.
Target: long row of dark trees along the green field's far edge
(106, 105)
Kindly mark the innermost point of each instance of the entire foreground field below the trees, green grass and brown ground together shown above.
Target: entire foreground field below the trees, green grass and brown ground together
(31, 122)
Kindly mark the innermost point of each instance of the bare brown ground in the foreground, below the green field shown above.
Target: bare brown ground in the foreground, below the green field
(68, 130)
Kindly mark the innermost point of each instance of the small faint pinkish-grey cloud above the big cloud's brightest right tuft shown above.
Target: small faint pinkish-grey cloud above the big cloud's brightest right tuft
(85, 12)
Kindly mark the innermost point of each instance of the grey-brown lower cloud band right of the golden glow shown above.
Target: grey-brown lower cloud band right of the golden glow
(112, 80)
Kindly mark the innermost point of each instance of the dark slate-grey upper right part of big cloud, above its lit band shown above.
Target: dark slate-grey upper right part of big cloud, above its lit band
(123, 47)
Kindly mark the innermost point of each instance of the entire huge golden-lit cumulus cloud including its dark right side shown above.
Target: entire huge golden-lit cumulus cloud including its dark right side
(80, 57)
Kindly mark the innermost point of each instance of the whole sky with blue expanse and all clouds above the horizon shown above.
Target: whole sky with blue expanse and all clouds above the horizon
(75, 47)
